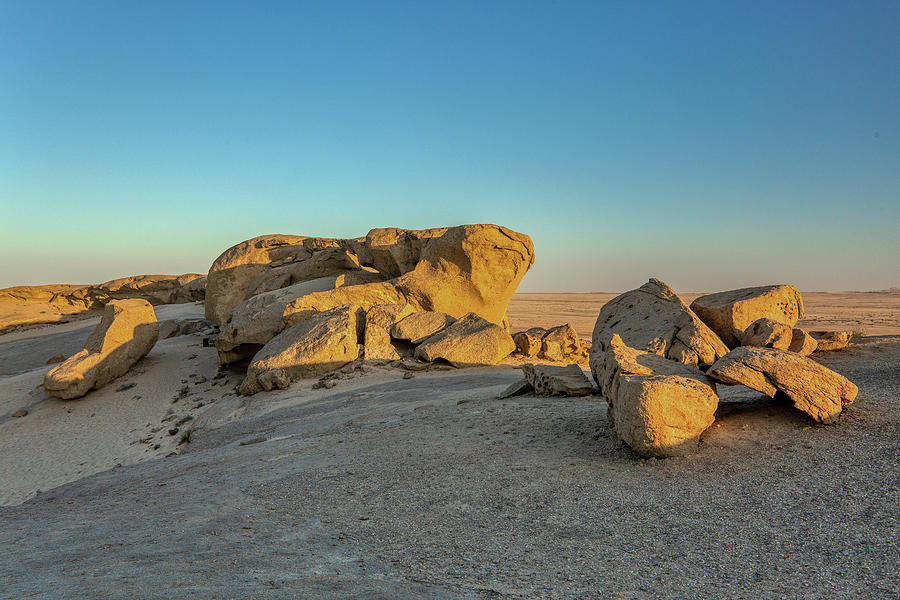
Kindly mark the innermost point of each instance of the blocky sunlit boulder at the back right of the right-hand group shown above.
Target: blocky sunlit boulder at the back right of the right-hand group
(730, 313)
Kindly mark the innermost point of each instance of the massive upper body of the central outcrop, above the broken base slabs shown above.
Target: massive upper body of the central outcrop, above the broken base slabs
(454, 270)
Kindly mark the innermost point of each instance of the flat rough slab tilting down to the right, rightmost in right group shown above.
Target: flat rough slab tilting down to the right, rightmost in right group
(814, 389)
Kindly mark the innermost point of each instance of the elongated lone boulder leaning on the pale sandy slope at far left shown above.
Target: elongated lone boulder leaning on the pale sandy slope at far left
(127, 332)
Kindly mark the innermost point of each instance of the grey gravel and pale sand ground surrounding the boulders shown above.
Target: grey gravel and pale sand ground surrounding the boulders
(430, 487)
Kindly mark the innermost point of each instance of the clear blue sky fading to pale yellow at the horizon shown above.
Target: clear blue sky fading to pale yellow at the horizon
(711, 144)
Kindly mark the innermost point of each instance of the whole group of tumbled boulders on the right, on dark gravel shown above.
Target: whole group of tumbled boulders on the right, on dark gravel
(658, 361)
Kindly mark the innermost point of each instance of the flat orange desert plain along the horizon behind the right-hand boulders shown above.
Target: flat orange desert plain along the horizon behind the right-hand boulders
(872, 312)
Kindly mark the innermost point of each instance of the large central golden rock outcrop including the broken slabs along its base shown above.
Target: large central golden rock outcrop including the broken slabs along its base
(291, 307)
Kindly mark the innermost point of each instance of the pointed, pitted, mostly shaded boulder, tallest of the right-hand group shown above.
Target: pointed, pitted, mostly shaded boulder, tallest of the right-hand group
(654, 318)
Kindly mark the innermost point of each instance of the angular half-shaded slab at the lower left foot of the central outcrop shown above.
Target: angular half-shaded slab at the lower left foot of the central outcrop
(320, 344)
